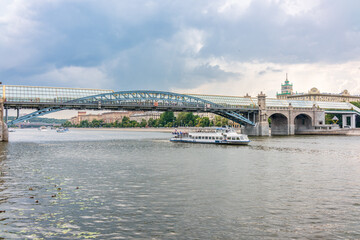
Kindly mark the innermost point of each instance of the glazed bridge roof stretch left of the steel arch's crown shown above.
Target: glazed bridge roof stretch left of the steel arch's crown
(45, 94)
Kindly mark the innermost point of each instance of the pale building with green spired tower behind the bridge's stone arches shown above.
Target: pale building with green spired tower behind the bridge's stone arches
(315, 95)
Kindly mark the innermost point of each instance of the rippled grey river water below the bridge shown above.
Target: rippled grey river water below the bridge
(137, 185)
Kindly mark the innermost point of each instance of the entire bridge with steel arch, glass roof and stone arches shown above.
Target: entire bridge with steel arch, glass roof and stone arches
(288, 117)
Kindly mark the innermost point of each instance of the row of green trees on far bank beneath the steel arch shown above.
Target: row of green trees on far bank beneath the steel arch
(167, 119)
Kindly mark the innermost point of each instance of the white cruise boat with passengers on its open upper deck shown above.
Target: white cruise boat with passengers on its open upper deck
(216, 136)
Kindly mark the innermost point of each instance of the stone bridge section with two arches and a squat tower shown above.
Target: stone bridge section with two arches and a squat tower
(284, 121)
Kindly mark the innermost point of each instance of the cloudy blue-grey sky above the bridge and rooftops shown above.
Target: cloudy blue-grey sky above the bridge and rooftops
(224, 47)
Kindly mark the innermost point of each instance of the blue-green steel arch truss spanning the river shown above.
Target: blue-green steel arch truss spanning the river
(136, 101)
